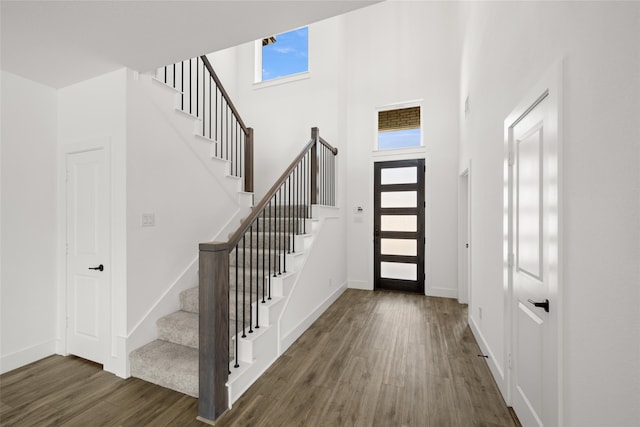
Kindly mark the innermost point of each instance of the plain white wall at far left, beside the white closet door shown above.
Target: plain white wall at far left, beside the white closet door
(29, 257)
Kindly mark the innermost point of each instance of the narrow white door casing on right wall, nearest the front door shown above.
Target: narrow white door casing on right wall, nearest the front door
(464, 223)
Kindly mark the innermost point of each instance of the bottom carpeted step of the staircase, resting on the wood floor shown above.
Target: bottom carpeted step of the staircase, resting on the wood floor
(167, 364)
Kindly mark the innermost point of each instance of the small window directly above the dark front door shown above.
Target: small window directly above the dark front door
(399, 128)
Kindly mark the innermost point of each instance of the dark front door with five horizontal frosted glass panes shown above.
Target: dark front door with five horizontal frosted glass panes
(399, 237)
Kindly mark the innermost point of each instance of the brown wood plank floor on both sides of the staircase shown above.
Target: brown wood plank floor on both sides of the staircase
(372, 359)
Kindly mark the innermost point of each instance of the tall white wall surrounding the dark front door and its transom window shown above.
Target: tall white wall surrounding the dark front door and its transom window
(397, 52)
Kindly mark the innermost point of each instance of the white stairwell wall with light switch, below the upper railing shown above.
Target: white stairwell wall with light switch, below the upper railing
(171, 175)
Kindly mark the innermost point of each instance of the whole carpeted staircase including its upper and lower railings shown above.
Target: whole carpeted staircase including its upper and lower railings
(246, 283)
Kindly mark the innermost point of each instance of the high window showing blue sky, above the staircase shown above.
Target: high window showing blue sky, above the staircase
(283, 55)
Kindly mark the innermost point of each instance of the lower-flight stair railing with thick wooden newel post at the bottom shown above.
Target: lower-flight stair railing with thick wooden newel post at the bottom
(236, 276)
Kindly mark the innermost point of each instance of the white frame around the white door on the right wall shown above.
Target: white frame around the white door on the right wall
(551, 83)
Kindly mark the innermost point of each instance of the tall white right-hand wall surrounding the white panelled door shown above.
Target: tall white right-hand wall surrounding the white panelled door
(507, 48)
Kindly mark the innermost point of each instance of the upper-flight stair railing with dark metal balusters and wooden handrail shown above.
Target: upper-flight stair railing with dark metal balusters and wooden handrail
(204, 96)
